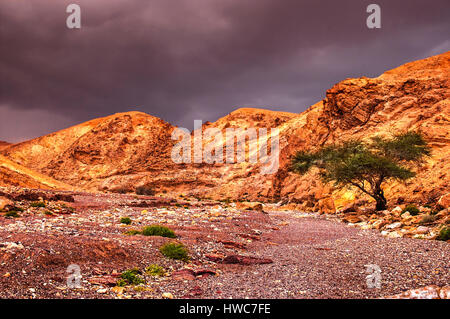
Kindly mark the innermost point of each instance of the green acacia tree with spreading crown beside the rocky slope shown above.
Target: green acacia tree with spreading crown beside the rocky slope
(366, 165)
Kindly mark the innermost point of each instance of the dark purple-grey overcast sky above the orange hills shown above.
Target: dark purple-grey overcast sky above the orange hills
(196, 59)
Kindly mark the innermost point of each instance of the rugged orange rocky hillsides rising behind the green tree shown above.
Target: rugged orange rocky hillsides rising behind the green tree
(126, 150)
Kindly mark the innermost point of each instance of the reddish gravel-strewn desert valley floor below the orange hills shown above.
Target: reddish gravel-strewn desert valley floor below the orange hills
(234, 253)
